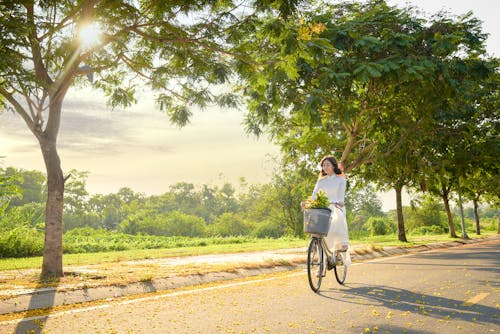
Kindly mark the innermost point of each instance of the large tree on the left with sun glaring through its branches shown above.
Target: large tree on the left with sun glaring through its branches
(179, 48)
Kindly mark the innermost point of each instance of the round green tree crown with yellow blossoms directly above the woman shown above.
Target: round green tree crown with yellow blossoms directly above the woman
(341, 77)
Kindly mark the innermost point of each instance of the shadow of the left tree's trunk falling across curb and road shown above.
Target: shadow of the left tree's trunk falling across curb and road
(32, 323)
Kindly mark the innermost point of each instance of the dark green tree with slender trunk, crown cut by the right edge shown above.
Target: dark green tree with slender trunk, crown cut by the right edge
(462, 134)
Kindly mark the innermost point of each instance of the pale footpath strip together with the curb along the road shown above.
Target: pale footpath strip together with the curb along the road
(21, 299)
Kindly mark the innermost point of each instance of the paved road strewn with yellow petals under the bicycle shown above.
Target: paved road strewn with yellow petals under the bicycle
(443, 291)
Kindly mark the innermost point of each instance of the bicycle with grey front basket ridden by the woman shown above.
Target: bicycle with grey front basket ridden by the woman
(317, 224)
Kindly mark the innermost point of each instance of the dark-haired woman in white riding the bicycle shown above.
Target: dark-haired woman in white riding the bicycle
(333, 183)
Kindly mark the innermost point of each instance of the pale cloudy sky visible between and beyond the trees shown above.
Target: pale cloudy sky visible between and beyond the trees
(139, 149)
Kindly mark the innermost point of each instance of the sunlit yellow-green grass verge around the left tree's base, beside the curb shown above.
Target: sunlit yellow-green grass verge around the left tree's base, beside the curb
(118, 268)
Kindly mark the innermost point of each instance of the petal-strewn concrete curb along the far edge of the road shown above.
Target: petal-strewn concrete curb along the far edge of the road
(32, 299)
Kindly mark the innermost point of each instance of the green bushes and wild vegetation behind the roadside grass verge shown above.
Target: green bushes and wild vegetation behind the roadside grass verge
(187, 220)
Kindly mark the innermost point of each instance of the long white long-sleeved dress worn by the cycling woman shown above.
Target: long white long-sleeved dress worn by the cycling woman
(334, 186)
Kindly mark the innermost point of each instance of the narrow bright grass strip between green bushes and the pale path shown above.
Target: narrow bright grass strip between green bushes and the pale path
(254, 245)
